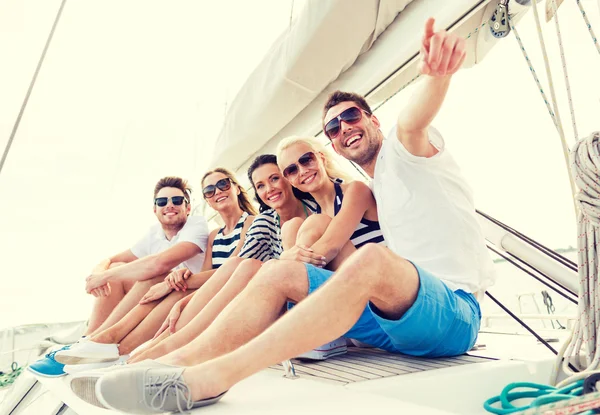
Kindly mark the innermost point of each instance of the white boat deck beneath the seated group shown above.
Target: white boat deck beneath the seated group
(422, 386)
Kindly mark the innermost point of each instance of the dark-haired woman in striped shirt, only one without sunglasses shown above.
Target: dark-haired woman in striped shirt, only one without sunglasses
(279, 203)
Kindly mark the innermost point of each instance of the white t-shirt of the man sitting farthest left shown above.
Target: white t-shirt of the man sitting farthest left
(195, 231)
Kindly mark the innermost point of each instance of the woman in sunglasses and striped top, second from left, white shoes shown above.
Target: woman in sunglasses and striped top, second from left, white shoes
(227, 197)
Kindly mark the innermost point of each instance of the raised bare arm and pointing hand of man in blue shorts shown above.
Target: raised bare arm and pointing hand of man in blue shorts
(442, 54)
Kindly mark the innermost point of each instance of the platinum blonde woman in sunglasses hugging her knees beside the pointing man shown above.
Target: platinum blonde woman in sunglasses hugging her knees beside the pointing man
(346, 212)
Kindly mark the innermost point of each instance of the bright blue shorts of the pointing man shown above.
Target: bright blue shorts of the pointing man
(441, 322)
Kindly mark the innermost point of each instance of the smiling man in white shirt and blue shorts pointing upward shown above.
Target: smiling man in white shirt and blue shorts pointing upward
(418, 297)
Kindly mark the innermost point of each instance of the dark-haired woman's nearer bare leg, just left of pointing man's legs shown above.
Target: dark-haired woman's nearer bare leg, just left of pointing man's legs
(238, 281)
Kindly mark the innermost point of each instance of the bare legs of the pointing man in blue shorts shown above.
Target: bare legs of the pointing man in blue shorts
(373, 274)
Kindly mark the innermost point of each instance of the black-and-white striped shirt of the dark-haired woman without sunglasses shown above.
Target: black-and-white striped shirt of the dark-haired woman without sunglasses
(263, 239)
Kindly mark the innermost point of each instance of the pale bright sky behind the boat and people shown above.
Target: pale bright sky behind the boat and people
(132, 91)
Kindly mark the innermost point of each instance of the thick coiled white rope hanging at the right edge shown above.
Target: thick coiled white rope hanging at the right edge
(582, 349)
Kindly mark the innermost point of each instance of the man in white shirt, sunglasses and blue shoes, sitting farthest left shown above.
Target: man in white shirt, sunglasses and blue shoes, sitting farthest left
(119, 282)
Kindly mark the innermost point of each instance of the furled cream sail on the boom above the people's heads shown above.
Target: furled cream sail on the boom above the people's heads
(367, 47)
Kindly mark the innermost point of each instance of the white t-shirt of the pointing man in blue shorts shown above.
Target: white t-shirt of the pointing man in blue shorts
(427, 214)
